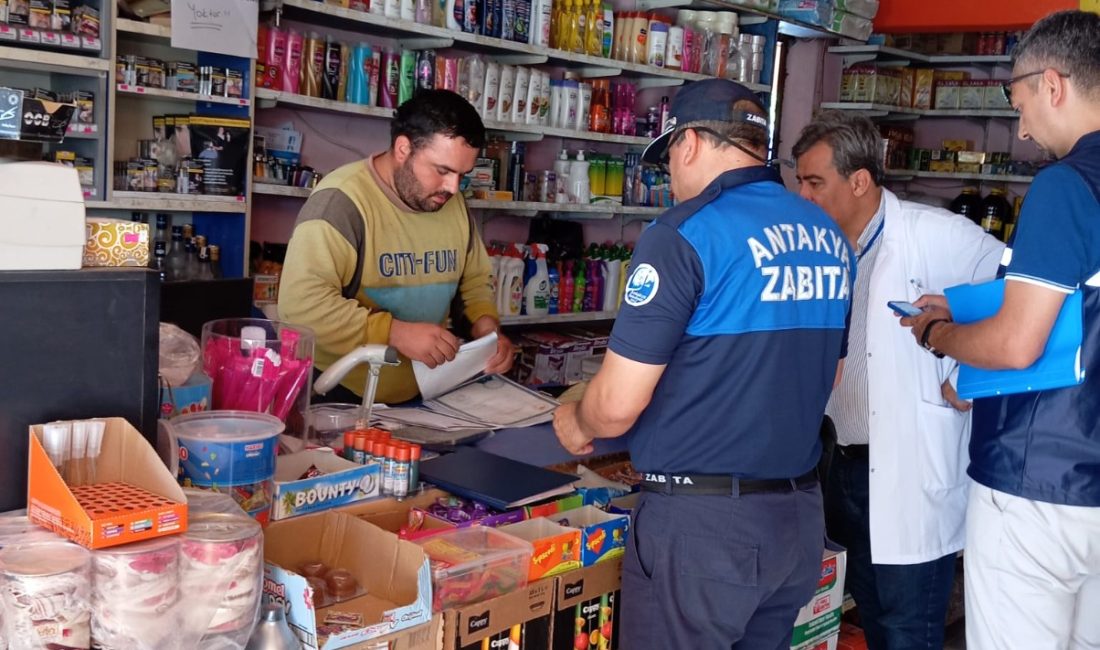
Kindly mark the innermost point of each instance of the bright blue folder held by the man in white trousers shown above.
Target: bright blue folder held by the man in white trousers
(1058, 368)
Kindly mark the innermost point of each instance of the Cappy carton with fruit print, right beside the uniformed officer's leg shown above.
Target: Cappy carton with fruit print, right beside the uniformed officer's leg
(588, 604)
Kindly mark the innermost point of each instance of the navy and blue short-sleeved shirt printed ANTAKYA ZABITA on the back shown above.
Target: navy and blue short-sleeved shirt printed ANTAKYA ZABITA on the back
(744, 294)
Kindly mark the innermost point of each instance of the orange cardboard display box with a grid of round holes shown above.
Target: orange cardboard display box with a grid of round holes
(135, 497)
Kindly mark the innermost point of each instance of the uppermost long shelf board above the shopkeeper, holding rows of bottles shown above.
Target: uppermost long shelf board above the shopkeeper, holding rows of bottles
(424, 36)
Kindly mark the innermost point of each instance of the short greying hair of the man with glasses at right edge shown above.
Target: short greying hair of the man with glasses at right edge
(1070, 42)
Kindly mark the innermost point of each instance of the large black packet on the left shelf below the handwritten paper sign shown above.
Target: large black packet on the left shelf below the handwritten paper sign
(223, 147)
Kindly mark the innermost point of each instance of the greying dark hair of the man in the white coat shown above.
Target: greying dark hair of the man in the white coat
(855, 140)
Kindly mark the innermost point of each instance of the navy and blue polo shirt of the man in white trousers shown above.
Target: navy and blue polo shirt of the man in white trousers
(1046, 446)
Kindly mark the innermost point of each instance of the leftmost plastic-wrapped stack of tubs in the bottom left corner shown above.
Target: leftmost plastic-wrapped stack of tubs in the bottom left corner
(46, 591)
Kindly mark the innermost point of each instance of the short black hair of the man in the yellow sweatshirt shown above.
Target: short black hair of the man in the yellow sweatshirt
(437, 113)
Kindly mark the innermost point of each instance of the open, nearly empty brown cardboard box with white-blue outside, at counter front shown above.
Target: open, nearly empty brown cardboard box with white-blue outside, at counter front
(395, 575)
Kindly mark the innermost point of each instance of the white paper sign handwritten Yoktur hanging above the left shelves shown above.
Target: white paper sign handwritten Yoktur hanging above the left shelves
(225, 27)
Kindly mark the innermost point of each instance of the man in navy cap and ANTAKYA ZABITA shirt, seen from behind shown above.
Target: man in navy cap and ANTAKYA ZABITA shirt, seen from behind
(719, 371)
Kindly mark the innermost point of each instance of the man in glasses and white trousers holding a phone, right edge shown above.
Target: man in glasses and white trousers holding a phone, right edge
(1033, 519)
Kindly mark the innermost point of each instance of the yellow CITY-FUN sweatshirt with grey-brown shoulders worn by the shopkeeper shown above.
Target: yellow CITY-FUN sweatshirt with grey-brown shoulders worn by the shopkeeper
(359, 258)
